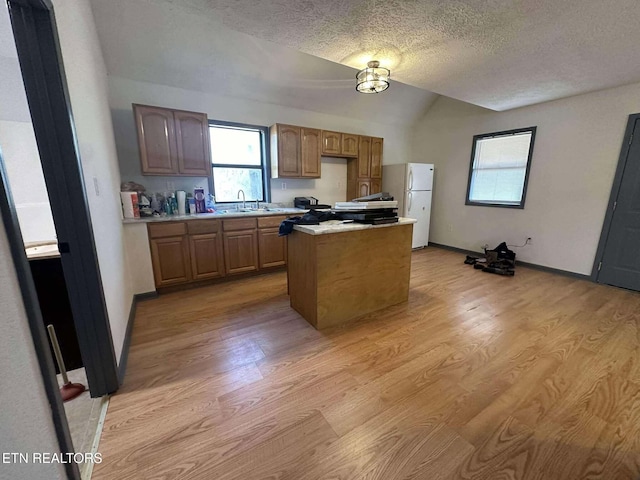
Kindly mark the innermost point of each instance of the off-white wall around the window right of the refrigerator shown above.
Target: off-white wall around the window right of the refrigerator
(576, 151)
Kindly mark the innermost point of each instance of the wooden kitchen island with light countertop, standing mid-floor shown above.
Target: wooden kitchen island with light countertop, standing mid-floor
(340, 271)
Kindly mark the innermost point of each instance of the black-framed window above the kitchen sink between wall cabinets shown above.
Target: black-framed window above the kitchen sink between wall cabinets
(238, 161)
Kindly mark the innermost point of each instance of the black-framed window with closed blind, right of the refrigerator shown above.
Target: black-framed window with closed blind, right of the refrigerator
(499, 169)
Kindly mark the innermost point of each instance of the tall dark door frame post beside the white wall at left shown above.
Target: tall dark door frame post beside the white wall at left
(40, 58)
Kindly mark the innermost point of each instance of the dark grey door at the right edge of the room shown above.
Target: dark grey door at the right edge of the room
(621, 259)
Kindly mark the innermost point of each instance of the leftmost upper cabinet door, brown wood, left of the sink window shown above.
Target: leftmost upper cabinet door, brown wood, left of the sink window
(156, 139)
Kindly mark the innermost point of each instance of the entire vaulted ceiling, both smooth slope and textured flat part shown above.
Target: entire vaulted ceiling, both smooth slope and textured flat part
(499, 54)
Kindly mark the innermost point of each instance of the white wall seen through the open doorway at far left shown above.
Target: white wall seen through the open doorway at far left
(18, 146)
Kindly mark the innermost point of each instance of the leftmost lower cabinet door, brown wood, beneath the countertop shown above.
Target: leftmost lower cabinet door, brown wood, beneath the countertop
(170, 258)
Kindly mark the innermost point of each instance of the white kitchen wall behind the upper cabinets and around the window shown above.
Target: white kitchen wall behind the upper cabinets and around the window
(331, 187)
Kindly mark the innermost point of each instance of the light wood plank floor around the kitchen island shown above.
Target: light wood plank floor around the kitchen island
(478, 376)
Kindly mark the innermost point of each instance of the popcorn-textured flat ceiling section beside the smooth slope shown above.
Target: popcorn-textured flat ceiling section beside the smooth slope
(499, 54)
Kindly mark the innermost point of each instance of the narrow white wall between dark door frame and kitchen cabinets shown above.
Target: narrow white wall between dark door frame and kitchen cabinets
(87, 81)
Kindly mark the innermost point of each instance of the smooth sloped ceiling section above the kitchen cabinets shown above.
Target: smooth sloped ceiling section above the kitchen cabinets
(165, 44)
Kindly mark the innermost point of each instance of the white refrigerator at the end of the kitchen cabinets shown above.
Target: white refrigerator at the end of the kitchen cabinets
(411, 185)
